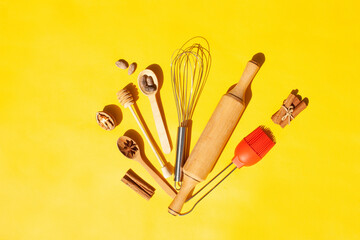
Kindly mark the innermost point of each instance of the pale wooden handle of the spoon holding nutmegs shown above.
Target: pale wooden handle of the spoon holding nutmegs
(160, 126)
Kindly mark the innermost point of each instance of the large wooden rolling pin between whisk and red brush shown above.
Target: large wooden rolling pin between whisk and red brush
(215, 136)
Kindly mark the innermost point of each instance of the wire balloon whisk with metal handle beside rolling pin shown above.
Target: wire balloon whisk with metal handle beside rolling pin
(190, 66)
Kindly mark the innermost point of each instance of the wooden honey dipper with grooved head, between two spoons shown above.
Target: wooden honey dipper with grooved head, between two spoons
(126, 99)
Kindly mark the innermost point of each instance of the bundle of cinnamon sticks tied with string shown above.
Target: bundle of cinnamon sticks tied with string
(291, 107)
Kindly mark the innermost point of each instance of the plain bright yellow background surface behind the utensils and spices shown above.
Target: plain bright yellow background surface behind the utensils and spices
(60, 172)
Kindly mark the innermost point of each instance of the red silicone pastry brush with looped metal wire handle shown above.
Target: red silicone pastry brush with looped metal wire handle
(249, 151)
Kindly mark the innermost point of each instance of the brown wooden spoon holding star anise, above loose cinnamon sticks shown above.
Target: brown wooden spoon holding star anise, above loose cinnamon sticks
(130, 149)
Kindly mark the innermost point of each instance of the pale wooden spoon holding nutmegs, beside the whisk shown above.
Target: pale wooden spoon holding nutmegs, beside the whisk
(150, 91)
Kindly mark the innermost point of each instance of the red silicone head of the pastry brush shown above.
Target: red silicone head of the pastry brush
(253, 147)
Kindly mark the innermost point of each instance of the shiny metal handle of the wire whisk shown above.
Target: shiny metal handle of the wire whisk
(180, 153)
